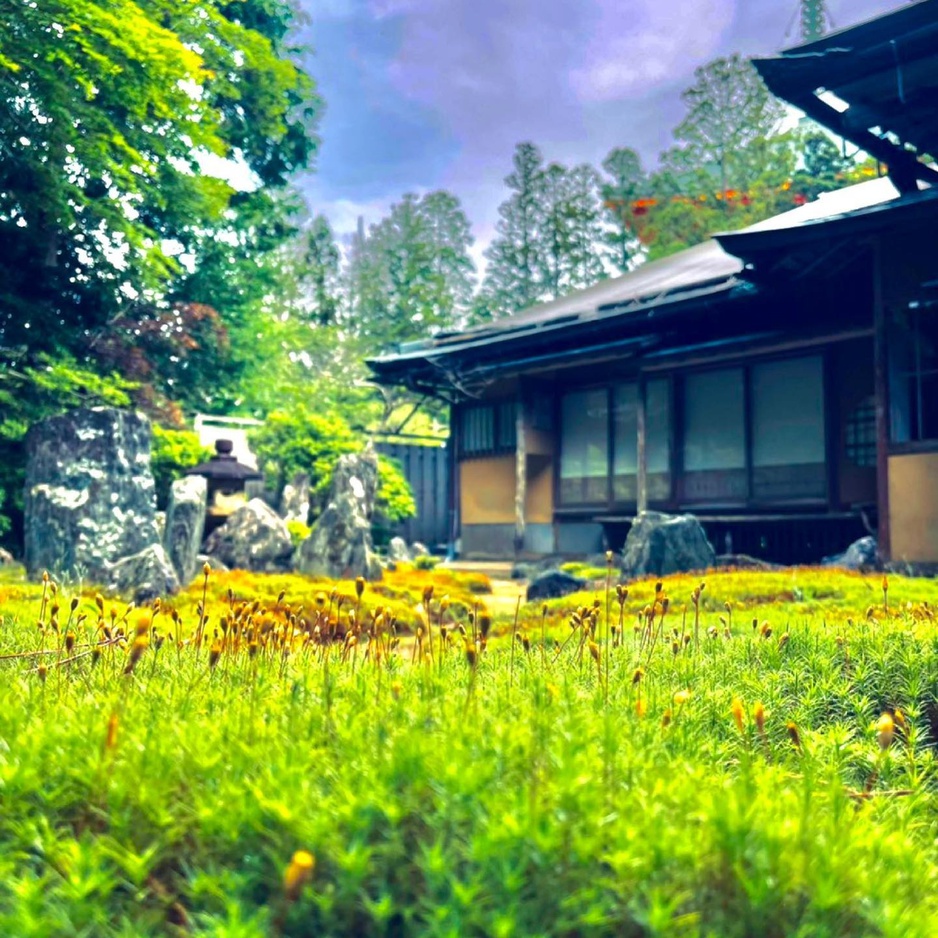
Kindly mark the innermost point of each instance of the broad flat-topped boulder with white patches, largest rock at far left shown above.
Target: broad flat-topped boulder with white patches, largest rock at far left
(89, 495)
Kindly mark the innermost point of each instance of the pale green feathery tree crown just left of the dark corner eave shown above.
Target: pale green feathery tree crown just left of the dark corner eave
(729, 108)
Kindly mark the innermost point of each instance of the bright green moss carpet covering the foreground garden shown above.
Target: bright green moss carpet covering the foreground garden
(551, 790)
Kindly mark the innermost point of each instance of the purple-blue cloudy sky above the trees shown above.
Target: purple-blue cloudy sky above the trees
(425, 94)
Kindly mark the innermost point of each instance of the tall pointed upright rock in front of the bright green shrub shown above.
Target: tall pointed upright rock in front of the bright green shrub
(340, 543)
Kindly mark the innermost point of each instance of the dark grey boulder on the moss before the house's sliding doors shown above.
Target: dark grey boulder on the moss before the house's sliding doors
(660, 544)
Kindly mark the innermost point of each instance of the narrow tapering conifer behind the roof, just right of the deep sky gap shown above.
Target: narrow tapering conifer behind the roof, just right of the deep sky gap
(512, 279)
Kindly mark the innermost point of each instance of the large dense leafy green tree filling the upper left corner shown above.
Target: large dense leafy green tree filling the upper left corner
(109, 113)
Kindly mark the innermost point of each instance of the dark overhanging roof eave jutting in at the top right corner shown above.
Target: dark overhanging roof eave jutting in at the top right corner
(883, 75)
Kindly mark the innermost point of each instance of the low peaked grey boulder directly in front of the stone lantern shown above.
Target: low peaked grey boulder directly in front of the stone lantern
(253, 538)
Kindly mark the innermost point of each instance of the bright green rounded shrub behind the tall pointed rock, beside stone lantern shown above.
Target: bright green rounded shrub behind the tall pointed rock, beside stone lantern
(301, 440)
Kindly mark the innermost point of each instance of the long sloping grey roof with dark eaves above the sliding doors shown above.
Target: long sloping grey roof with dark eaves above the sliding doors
(581, 324)
